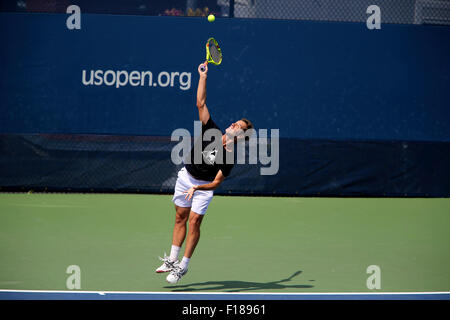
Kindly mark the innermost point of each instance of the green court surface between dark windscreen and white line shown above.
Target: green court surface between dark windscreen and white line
(248, 244)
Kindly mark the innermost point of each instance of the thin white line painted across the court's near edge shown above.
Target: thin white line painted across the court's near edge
(226, 293)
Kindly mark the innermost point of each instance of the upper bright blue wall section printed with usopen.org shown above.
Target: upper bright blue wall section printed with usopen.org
(311, 80)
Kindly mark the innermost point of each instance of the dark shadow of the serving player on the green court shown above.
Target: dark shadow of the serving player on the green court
(238, 286)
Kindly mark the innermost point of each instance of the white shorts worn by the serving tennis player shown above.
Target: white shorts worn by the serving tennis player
(201, 199)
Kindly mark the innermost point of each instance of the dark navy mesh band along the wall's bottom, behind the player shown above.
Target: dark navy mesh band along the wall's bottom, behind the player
(87, 163)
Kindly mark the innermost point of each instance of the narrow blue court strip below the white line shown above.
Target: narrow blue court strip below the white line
(124, 295)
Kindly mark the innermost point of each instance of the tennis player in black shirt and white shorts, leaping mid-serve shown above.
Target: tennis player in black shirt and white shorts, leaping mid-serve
(196, 183)
